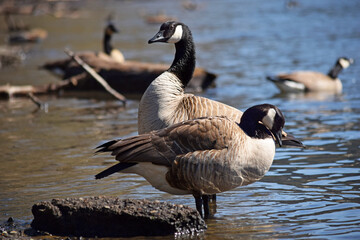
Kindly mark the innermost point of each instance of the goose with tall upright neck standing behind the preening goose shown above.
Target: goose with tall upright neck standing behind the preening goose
(165, 102)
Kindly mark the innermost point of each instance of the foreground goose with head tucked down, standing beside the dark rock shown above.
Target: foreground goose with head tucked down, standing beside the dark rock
(202, 156)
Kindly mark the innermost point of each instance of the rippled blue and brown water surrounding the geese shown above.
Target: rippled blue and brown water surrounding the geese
(311, 193)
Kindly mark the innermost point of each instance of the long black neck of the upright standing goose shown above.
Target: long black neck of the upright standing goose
(183, 65)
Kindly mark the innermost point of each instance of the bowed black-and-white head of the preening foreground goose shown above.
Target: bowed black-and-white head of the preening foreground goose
(263, 121)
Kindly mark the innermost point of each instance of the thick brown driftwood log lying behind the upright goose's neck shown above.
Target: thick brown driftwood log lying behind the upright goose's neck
(130, 77)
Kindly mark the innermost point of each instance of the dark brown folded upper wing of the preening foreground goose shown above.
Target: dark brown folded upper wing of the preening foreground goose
(162, 146)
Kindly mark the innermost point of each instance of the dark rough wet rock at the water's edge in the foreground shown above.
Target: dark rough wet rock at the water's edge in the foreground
(114, 217)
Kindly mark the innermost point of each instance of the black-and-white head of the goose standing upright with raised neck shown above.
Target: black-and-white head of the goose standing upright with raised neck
(170, 32)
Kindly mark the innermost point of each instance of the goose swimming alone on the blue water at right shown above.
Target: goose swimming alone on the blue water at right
(312, 81)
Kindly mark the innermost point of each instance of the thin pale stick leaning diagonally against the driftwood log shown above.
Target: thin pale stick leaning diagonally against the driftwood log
(95, 75)
